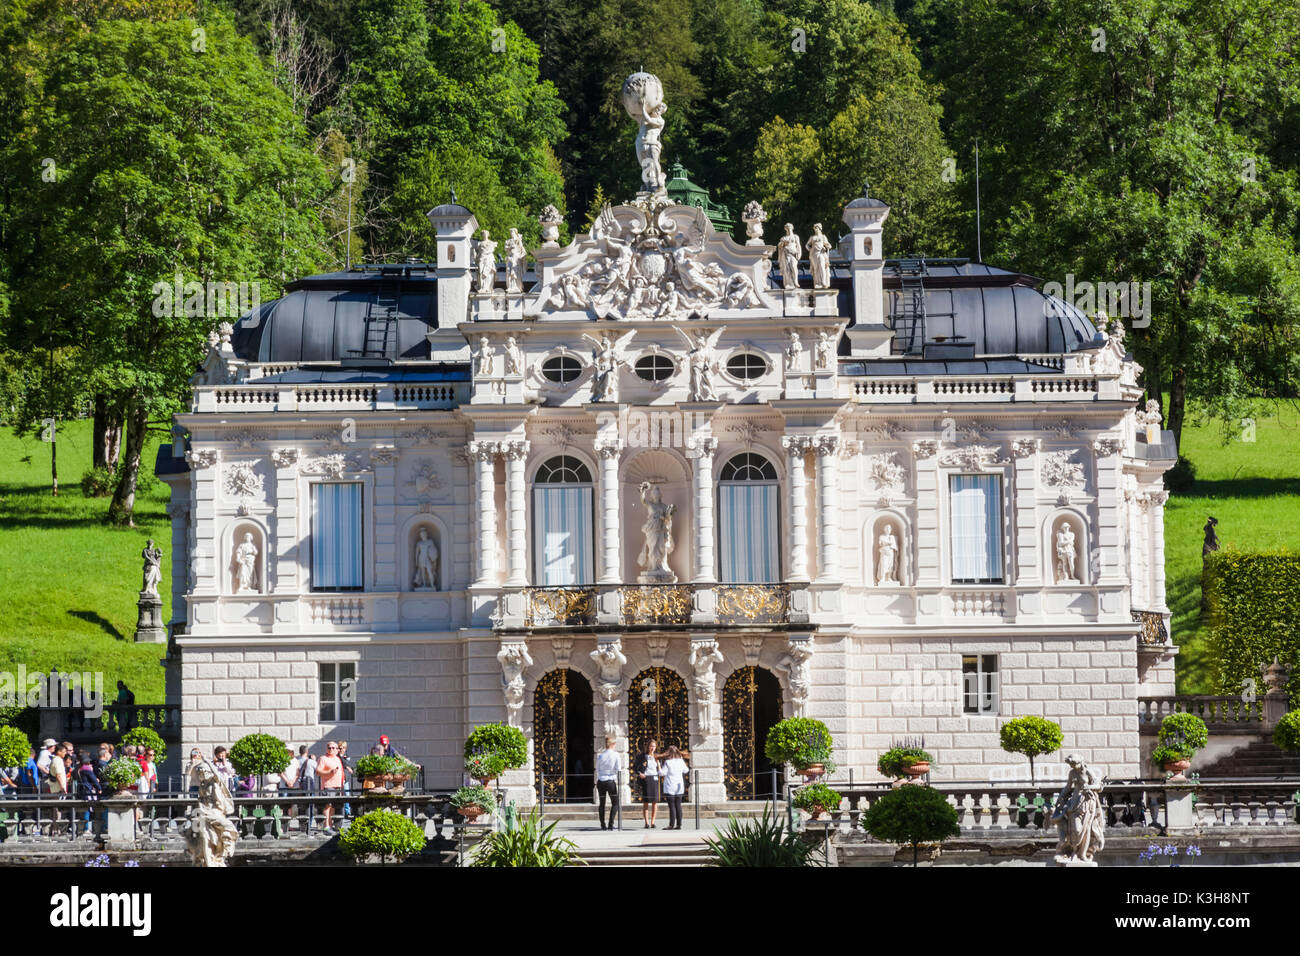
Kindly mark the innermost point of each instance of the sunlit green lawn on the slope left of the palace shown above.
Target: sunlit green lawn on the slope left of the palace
(71, 582)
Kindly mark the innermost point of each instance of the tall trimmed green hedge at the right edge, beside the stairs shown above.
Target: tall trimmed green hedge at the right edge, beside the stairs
(1255, 615)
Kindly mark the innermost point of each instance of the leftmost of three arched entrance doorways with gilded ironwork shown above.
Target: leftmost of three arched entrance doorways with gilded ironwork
(564, 742)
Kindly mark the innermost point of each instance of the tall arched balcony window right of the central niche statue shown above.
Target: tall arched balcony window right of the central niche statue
(748, 521)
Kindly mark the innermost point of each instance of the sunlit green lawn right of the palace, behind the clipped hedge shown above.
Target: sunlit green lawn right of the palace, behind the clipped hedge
(1254, 490)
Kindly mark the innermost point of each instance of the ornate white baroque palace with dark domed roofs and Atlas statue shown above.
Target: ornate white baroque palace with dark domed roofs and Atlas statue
(662, 483)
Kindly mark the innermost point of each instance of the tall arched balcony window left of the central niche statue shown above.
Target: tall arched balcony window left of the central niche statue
(562, 524)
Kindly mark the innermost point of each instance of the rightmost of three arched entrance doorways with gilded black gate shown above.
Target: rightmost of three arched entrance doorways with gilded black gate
(752, 706)
